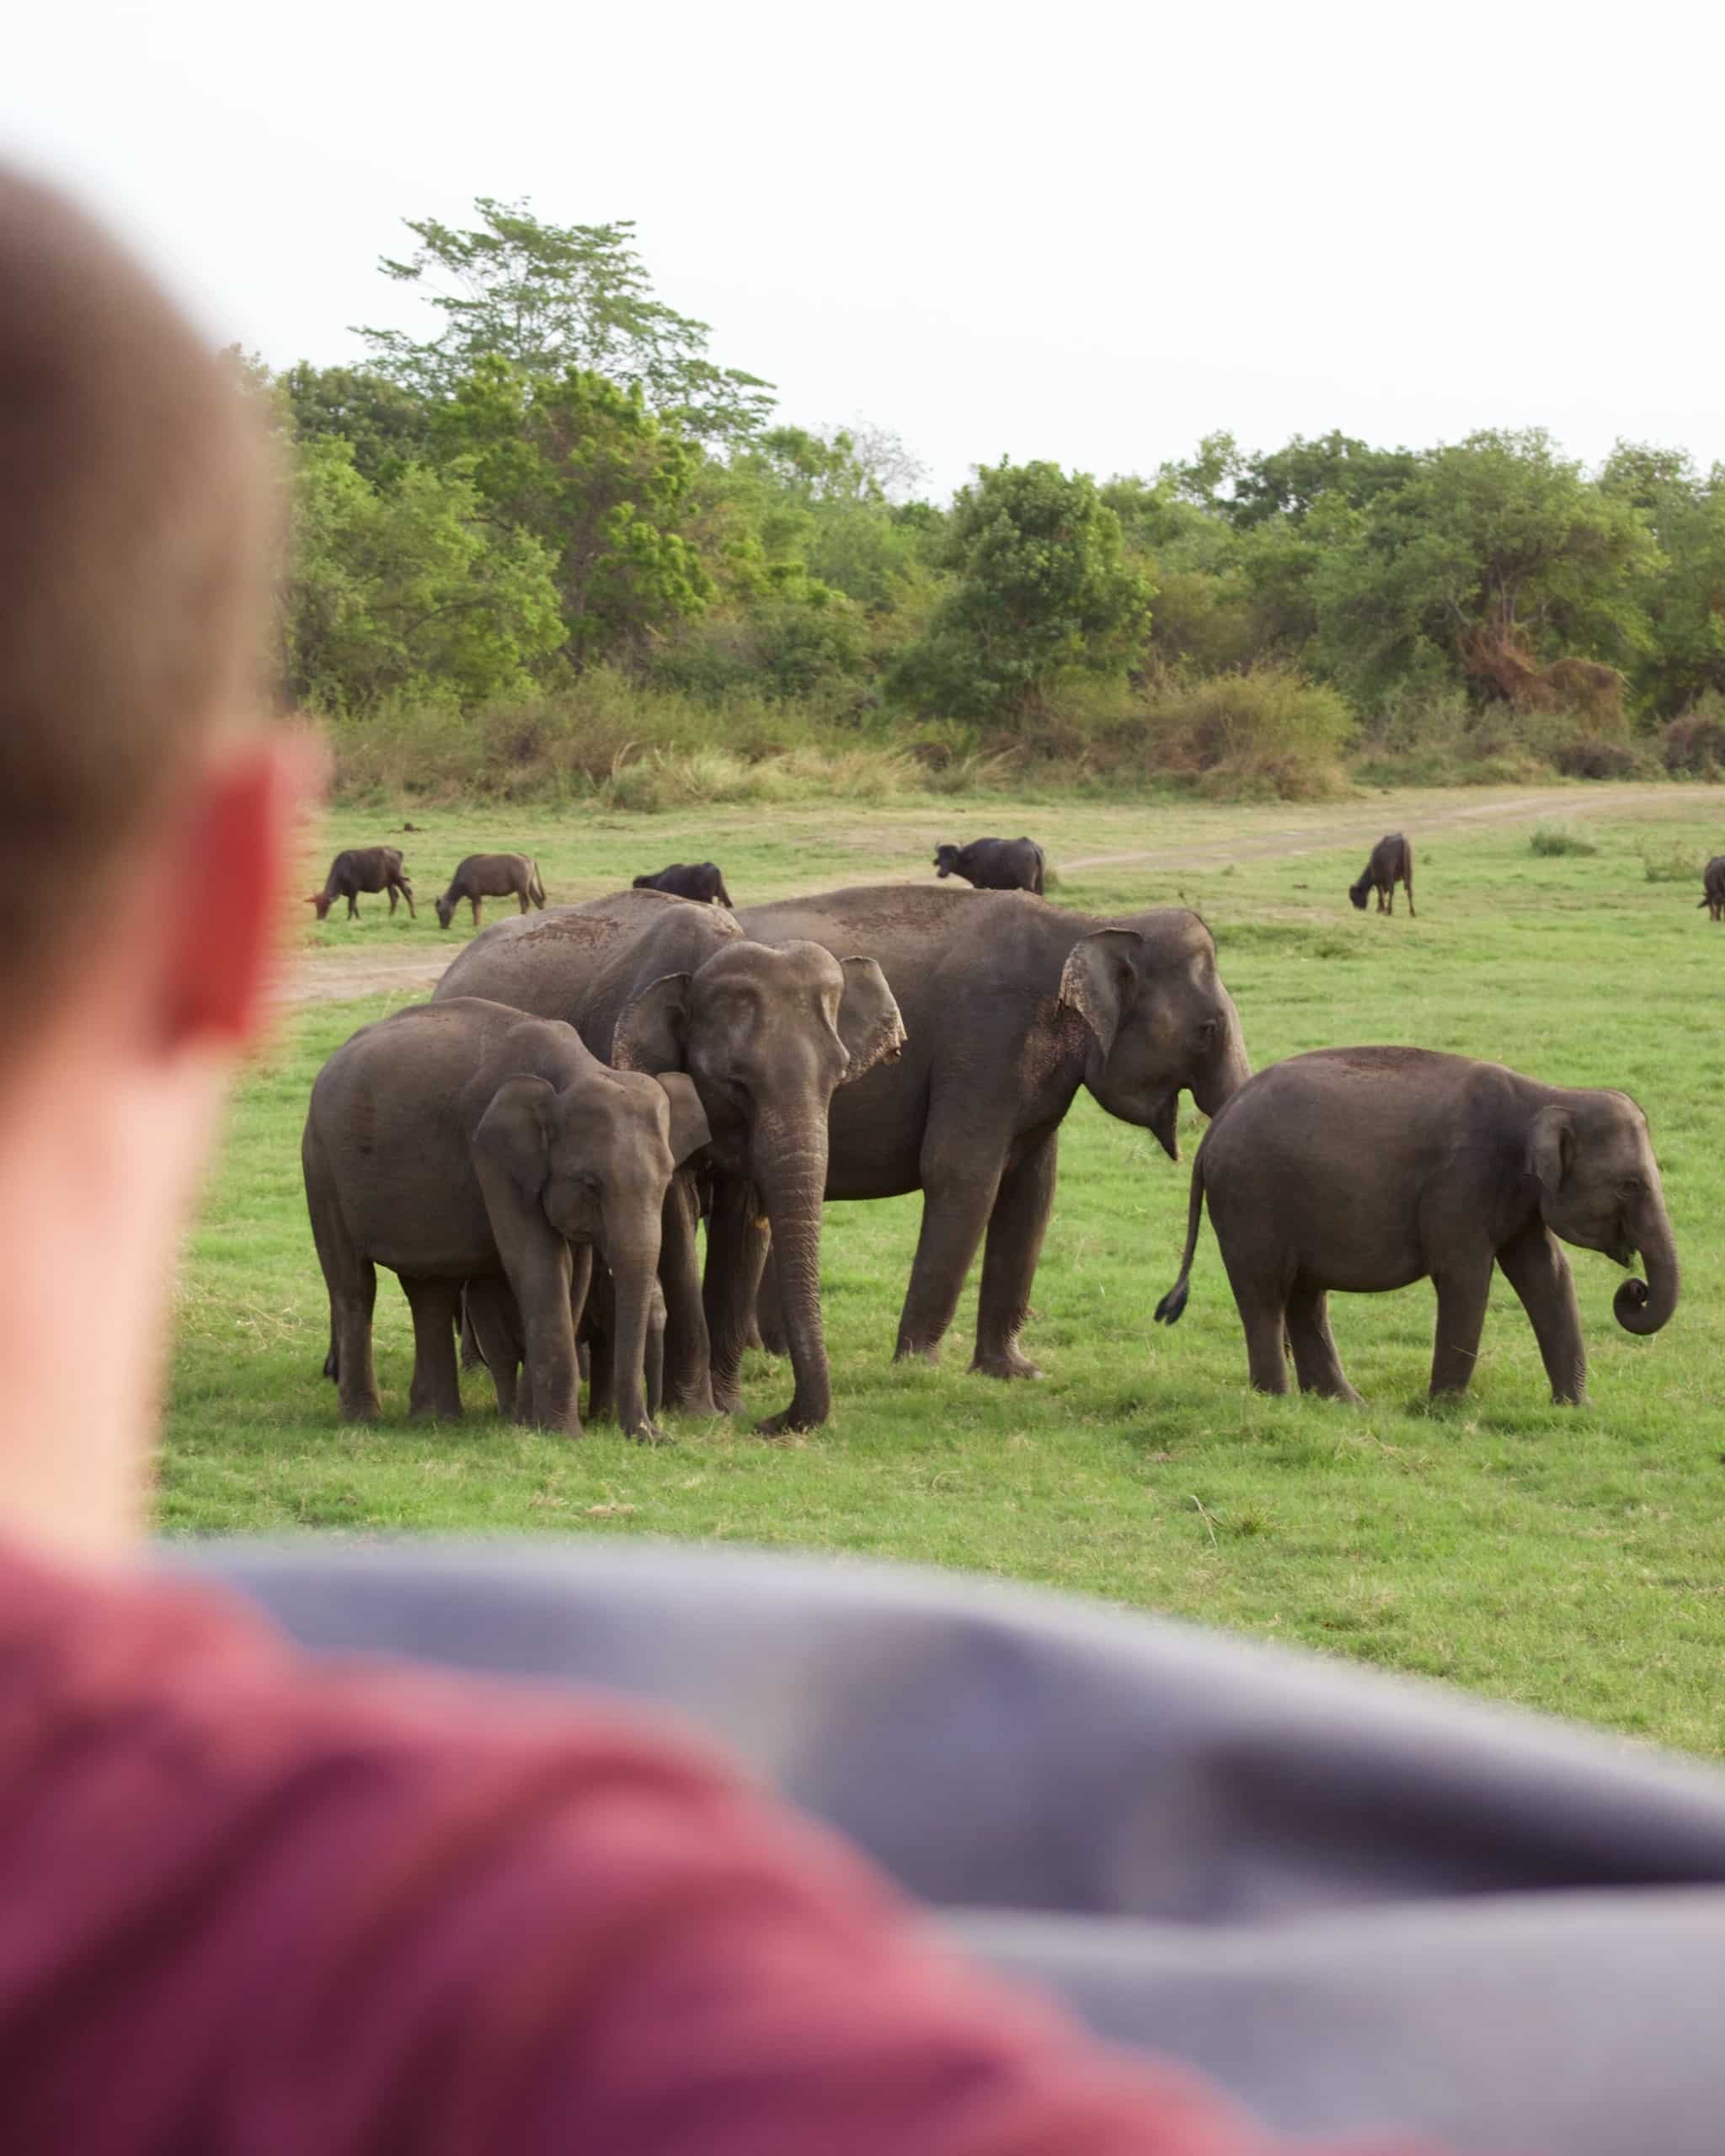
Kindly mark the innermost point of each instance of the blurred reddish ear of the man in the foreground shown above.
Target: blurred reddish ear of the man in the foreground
(225, 907)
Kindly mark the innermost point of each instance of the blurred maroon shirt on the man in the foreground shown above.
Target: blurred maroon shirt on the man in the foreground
(260, 1905)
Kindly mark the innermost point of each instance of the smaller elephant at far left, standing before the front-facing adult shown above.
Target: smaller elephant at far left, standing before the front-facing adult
(467, 1144)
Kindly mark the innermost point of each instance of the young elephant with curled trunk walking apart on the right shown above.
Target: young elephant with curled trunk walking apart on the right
(1372, 1167)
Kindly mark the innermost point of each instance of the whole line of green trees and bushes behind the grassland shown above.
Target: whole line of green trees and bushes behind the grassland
(557, 478)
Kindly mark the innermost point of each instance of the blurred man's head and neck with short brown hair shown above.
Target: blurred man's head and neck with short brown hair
(143, 823)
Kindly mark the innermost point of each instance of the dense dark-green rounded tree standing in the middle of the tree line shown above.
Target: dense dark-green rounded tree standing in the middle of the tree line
(1043, 590)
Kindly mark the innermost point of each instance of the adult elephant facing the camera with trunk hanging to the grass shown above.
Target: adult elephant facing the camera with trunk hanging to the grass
(659, 984)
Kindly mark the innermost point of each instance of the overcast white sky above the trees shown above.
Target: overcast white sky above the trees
(1062, 232)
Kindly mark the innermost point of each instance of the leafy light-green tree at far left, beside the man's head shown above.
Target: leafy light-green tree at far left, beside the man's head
(402, 594)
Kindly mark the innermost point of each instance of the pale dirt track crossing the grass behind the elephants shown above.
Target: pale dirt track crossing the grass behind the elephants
(333, 978)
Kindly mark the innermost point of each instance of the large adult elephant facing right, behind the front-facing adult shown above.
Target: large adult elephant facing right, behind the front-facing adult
(1010, 1006)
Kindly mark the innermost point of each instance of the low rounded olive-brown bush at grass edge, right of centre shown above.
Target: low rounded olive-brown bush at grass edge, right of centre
(1265, 732)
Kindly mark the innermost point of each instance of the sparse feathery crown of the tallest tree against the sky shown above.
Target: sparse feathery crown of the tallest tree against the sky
(551, 299)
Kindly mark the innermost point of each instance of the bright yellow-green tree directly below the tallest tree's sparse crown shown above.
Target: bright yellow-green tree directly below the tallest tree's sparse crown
(598, 484)
